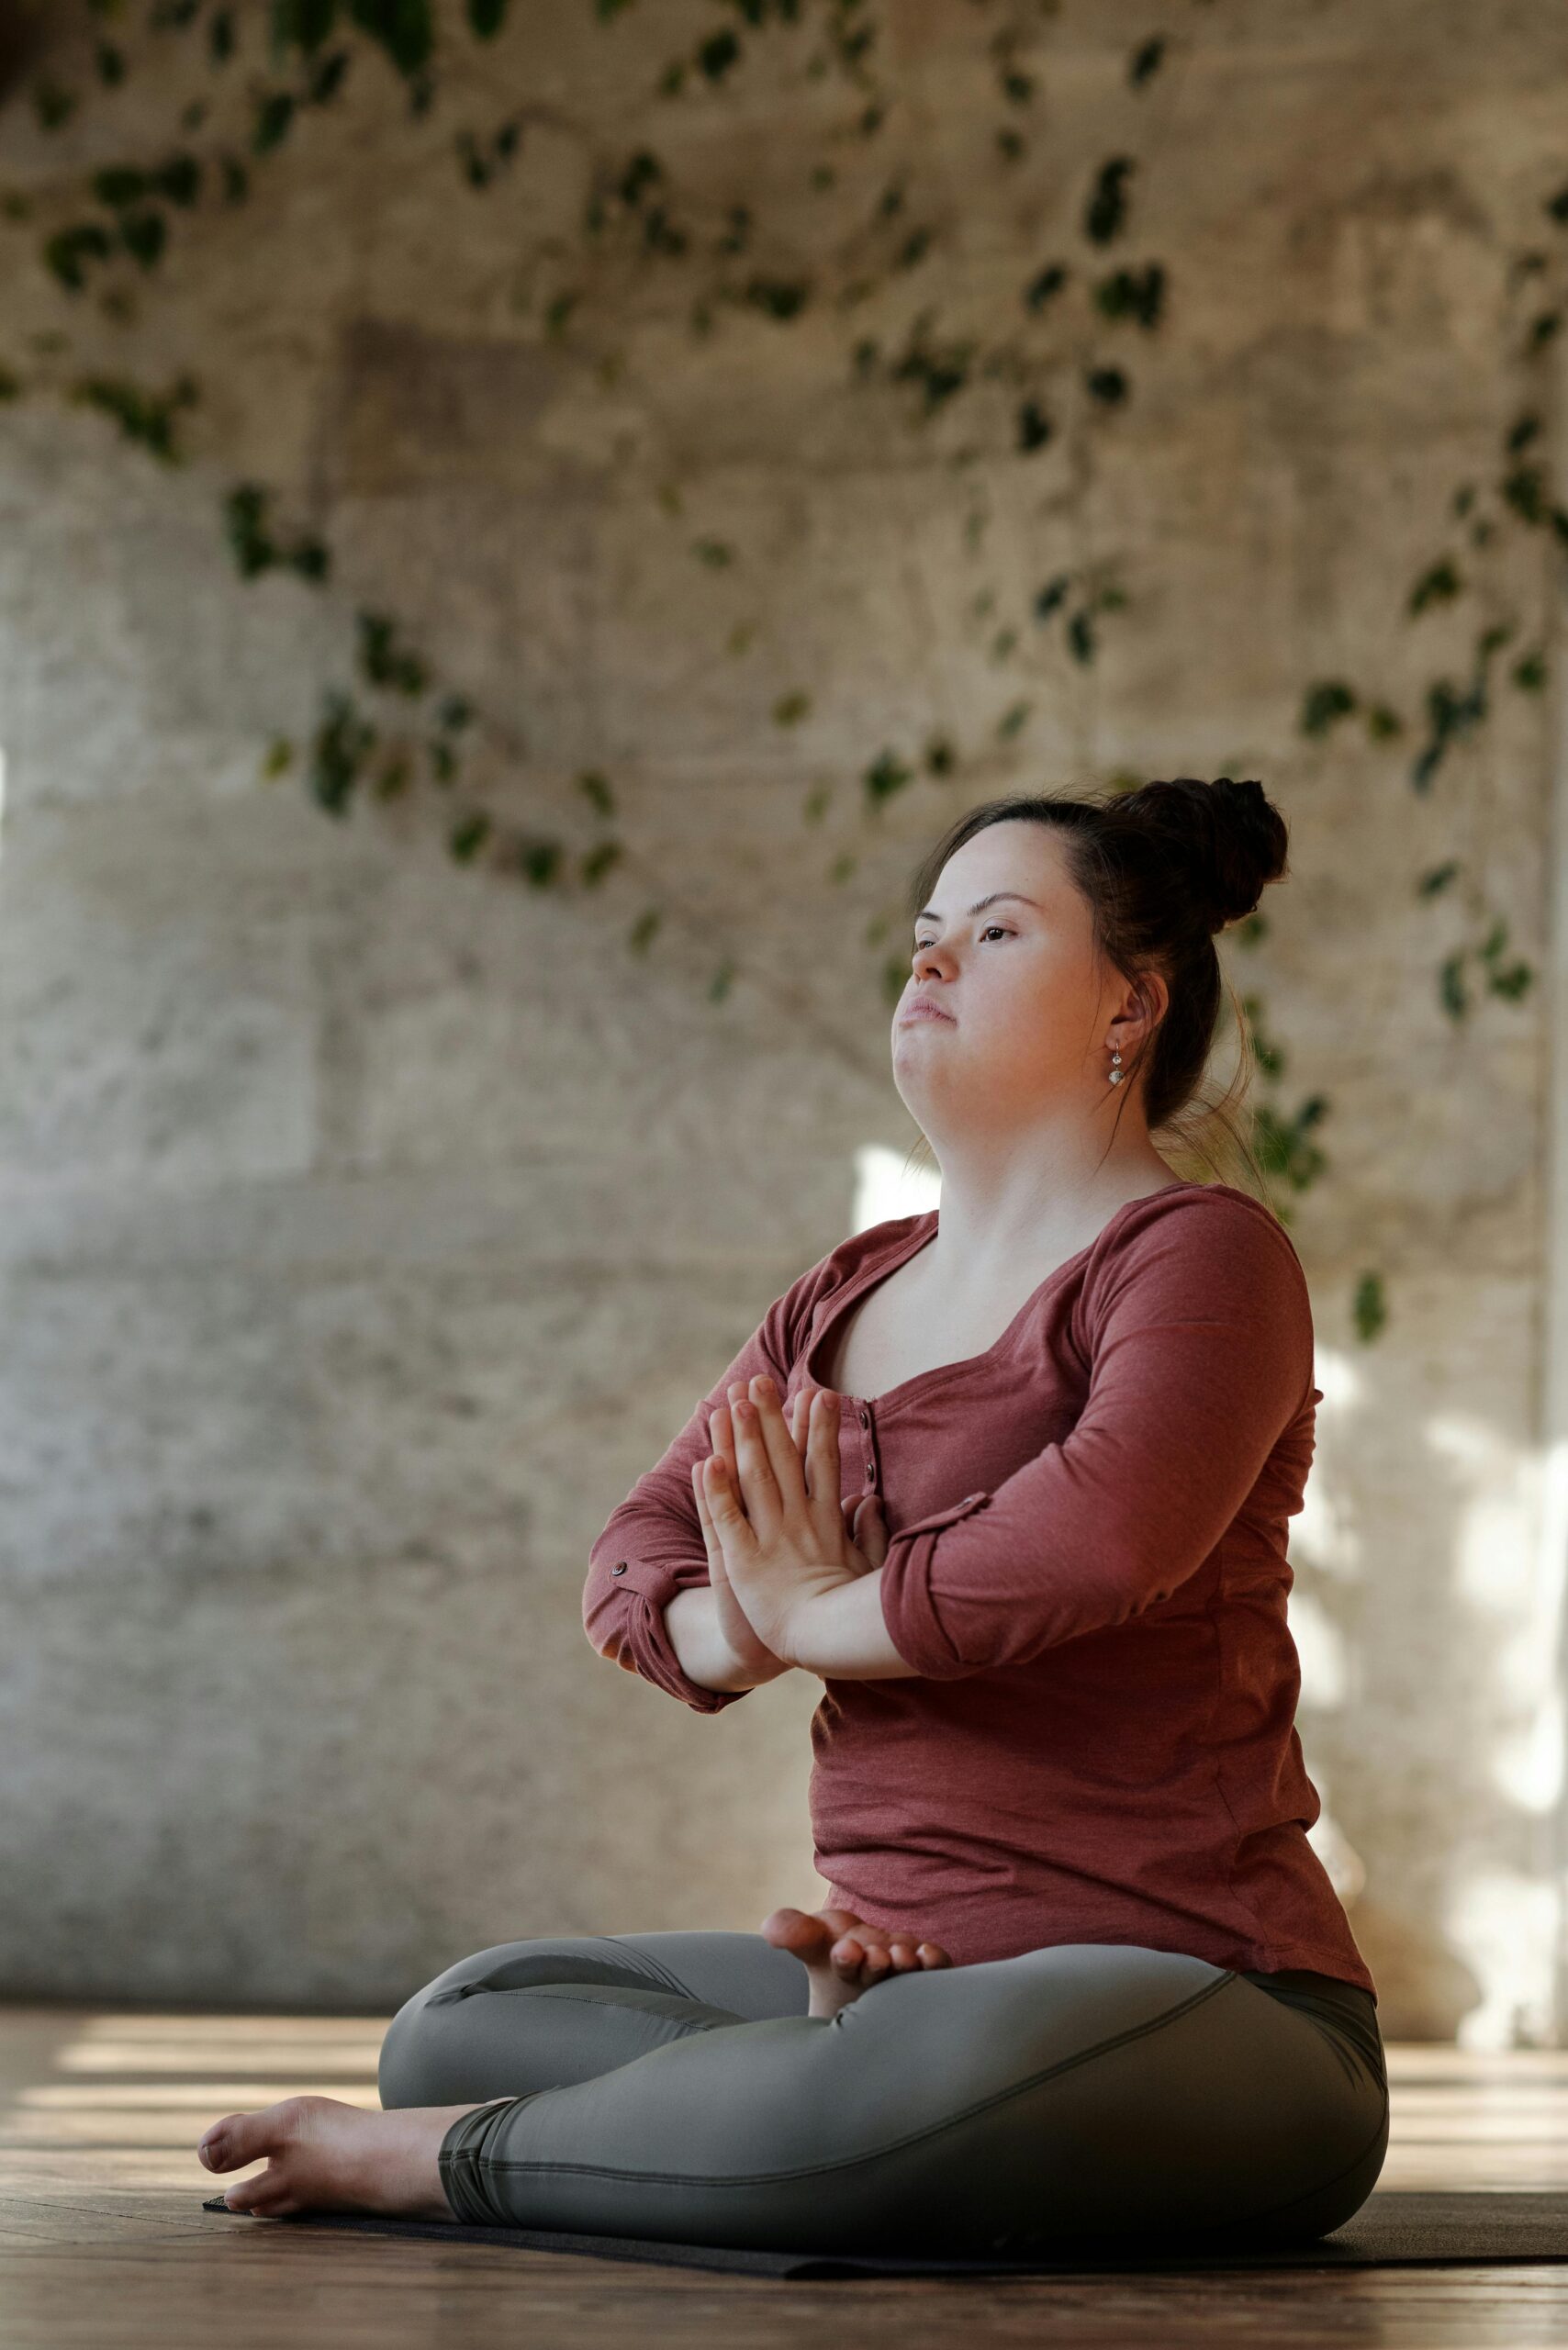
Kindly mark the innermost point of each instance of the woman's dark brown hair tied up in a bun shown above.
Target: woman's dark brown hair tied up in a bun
(1162, 868)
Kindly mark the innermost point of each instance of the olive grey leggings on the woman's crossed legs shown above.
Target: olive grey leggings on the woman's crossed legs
(671, 2086)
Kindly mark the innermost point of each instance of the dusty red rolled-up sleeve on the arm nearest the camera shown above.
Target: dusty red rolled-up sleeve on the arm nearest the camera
(1200, 1350)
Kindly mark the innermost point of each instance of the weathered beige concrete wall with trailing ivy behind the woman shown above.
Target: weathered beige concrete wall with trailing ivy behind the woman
(518, 528)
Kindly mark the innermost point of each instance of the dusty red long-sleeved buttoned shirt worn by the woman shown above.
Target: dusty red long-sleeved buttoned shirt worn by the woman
(1087, 1571)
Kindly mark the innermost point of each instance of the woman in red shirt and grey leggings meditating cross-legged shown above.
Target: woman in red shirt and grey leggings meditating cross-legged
(1012, 1479)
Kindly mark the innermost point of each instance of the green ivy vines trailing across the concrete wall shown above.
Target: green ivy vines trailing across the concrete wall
(1061, 368)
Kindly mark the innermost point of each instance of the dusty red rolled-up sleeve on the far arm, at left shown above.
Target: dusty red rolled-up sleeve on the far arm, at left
(652, 1545)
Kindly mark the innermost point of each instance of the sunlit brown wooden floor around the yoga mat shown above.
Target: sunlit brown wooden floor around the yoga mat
(105, 2238)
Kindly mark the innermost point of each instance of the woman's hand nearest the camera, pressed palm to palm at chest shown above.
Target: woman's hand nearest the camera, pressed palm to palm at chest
(784, 1533)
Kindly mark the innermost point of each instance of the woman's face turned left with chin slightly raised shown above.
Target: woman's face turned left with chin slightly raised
(1026, 1000)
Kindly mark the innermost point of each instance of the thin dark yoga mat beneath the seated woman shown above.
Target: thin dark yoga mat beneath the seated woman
(1391, 2229)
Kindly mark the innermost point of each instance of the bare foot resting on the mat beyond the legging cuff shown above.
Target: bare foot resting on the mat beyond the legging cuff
(326, 2156)
